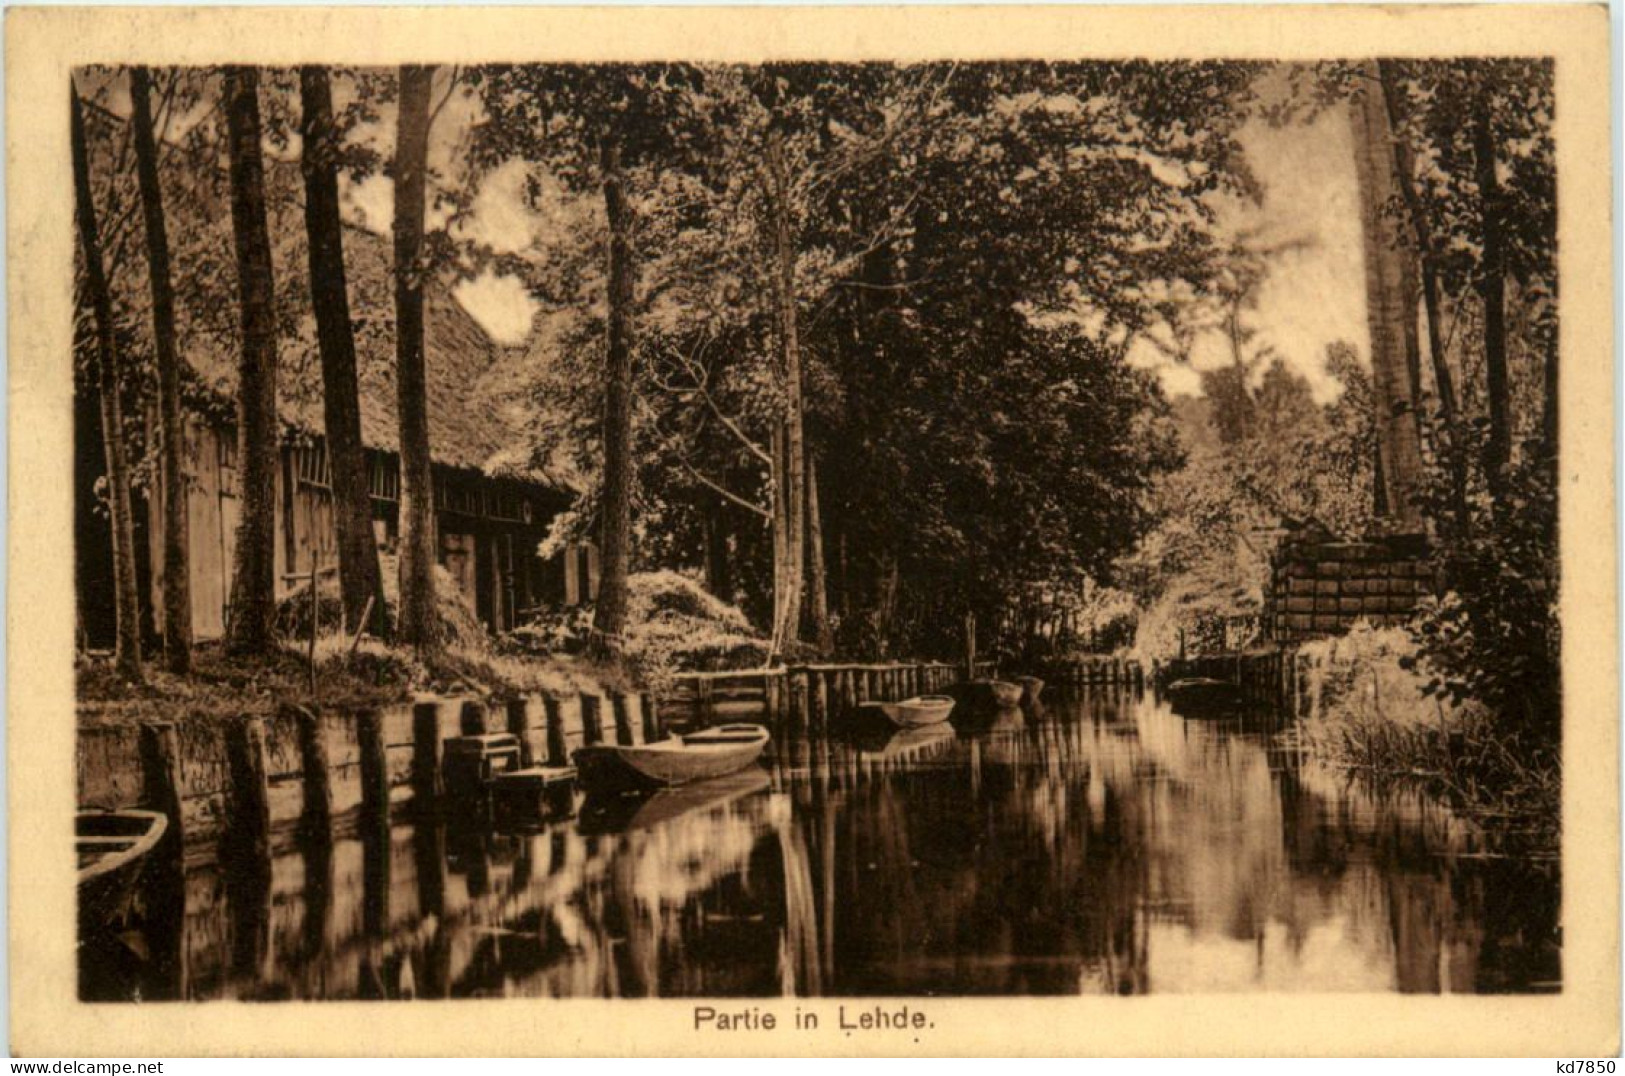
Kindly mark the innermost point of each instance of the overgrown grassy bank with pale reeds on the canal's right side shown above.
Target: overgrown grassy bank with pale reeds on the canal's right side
(1364, 706)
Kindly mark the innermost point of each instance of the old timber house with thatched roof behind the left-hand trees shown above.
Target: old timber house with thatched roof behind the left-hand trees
(493, 510)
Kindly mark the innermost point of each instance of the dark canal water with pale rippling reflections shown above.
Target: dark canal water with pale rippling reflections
(1101, 846)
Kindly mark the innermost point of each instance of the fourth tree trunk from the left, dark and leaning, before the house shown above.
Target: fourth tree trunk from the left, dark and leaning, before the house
(358, 553)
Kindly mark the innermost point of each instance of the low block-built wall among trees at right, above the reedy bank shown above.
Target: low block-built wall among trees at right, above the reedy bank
(1322, 588)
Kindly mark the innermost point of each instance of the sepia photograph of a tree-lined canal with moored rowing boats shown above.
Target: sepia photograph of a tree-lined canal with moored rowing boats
(886, 531)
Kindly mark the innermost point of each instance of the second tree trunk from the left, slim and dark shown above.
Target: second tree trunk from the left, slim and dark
(178, 591)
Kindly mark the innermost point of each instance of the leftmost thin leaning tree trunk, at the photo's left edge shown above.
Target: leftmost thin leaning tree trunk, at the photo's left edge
(128, 623)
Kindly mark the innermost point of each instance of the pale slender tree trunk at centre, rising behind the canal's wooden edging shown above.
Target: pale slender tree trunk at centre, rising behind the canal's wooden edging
(791, 360)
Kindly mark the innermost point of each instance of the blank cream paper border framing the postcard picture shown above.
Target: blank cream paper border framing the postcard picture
(46, 1020)
